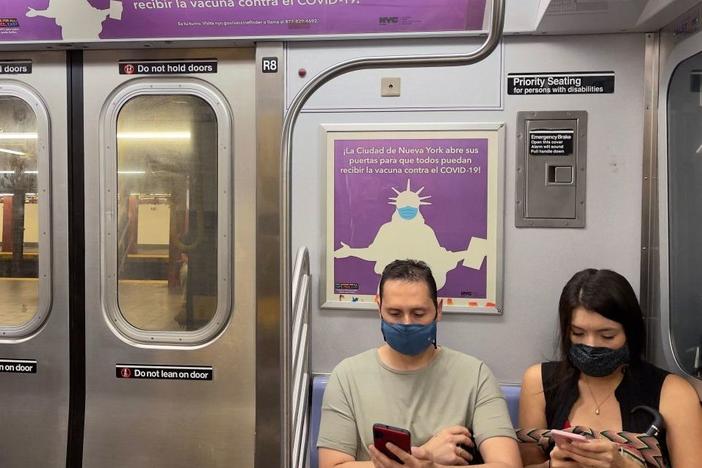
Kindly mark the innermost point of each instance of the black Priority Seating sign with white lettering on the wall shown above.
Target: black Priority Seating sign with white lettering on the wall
(532, 84)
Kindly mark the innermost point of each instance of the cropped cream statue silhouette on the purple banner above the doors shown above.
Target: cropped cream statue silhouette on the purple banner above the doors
(78, 19)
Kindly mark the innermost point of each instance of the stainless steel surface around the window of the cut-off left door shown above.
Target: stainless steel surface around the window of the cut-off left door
(34, 411)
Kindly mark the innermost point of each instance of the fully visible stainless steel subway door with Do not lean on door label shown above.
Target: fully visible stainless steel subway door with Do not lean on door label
(170, 258)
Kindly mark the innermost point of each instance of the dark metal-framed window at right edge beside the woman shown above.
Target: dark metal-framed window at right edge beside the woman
(681, 174)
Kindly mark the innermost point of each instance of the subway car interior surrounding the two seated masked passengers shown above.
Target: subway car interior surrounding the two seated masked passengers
(197, 200)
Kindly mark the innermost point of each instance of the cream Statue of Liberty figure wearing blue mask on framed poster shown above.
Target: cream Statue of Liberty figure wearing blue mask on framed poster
(406, 235)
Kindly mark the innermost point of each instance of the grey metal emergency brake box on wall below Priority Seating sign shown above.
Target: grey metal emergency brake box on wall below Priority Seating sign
(551, 169)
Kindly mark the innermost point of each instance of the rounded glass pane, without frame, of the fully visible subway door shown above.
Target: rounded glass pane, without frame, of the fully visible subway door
(167, 212)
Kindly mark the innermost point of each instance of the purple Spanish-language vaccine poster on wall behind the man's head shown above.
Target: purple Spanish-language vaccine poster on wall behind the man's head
(420, 198)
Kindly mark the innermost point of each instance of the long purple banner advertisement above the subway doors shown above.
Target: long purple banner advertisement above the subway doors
(94, 20)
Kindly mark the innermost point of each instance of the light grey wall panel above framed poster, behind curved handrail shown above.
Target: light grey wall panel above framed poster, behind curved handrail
(421, 88)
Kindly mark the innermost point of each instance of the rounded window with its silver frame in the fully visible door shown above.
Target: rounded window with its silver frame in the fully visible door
(167, 211)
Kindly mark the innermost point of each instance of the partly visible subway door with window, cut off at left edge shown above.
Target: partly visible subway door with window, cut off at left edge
(34, 351)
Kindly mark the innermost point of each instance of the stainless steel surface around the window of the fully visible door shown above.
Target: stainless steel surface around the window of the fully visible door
(171, 423)
